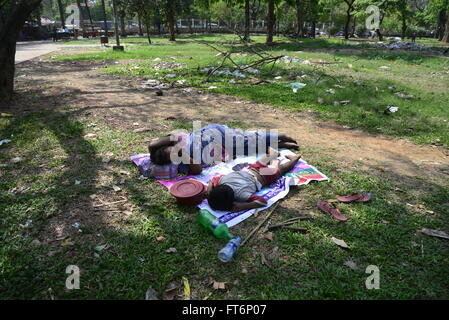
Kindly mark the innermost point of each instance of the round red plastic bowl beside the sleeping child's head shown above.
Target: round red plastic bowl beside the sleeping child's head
(188, 192)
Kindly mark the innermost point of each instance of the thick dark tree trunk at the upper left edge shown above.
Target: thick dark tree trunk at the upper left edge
(9, 32)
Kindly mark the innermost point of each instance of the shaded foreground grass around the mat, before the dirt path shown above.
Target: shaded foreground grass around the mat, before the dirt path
(302, 266)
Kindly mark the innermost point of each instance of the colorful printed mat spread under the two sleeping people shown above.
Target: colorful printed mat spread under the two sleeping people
(301, 174)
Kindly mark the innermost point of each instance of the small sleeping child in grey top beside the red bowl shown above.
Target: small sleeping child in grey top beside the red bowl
(236, 191)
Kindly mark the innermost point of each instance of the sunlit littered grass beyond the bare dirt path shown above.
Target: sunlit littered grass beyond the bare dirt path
(370, 79)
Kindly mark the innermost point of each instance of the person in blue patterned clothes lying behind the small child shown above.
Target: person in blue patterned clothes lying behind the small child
(201, 145)
